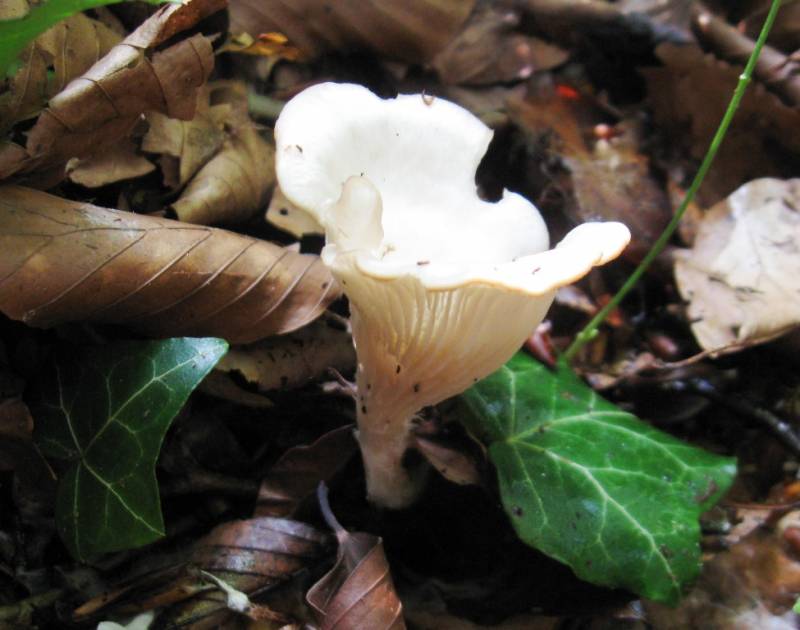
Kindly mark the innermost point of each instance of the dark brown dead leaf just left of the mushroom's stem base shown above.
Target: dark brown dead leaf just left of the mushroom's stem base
(299, 471)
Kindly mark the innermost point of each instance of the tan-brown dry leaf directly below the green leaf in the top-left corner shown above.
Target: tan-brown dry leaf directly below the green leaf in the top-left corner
(52, 60)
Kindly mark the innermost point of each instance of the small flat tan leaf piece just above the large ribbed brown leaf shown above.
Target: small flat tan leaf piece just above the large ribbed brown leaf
(118, 162)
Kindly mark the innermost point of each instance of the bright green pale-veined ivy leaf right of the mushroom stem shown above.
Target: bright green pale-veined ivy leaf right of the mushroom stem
(592, 485)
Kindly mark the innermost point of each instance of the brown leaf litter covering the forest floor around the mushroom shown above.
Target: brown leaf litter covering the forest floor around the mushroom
(599, 110)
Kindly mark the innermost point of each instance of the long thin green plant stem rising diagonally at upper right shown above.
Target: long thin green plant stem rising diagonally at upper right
(590, 330)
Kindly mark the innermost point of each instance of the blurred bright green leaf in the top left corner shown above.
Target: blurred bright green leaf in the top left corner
(16, 33)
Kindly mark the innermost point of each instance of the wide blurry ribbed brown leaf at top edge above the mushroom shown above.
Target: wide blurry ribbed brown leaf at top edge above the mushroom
(414, 30)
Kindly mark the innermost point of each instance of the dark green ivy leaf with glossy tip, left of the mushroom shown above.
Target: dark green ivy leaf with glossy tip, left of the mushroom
(106, 410)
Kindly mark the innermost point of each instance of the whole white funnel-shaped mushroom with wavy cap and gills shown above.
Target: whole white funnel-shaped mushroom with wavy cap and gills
(443, 286)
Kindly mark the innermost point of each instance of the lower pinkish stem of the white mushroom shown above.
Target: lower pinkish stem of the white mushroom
(384, 440)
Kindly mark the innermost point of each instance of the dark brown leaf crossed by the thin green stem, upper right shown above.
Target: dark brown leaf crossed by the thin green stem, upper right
(689, 96)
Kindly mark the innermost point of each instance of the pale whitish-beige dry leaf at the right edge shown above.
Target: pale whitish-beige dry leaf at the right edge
(741, 277)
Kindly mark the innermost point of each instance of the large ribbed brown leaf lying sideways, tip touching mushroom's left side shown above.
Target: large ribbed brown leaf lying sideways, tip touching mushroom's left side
(68, 261)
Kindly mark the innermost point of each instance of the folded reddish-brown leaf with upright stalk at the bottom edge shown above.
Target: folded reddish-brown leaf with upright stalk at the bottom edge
(357, 592)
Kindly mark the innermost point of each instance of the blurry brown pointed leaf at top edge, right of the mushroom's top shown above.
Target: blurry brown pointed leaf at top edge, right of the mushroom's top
(488, 50)
